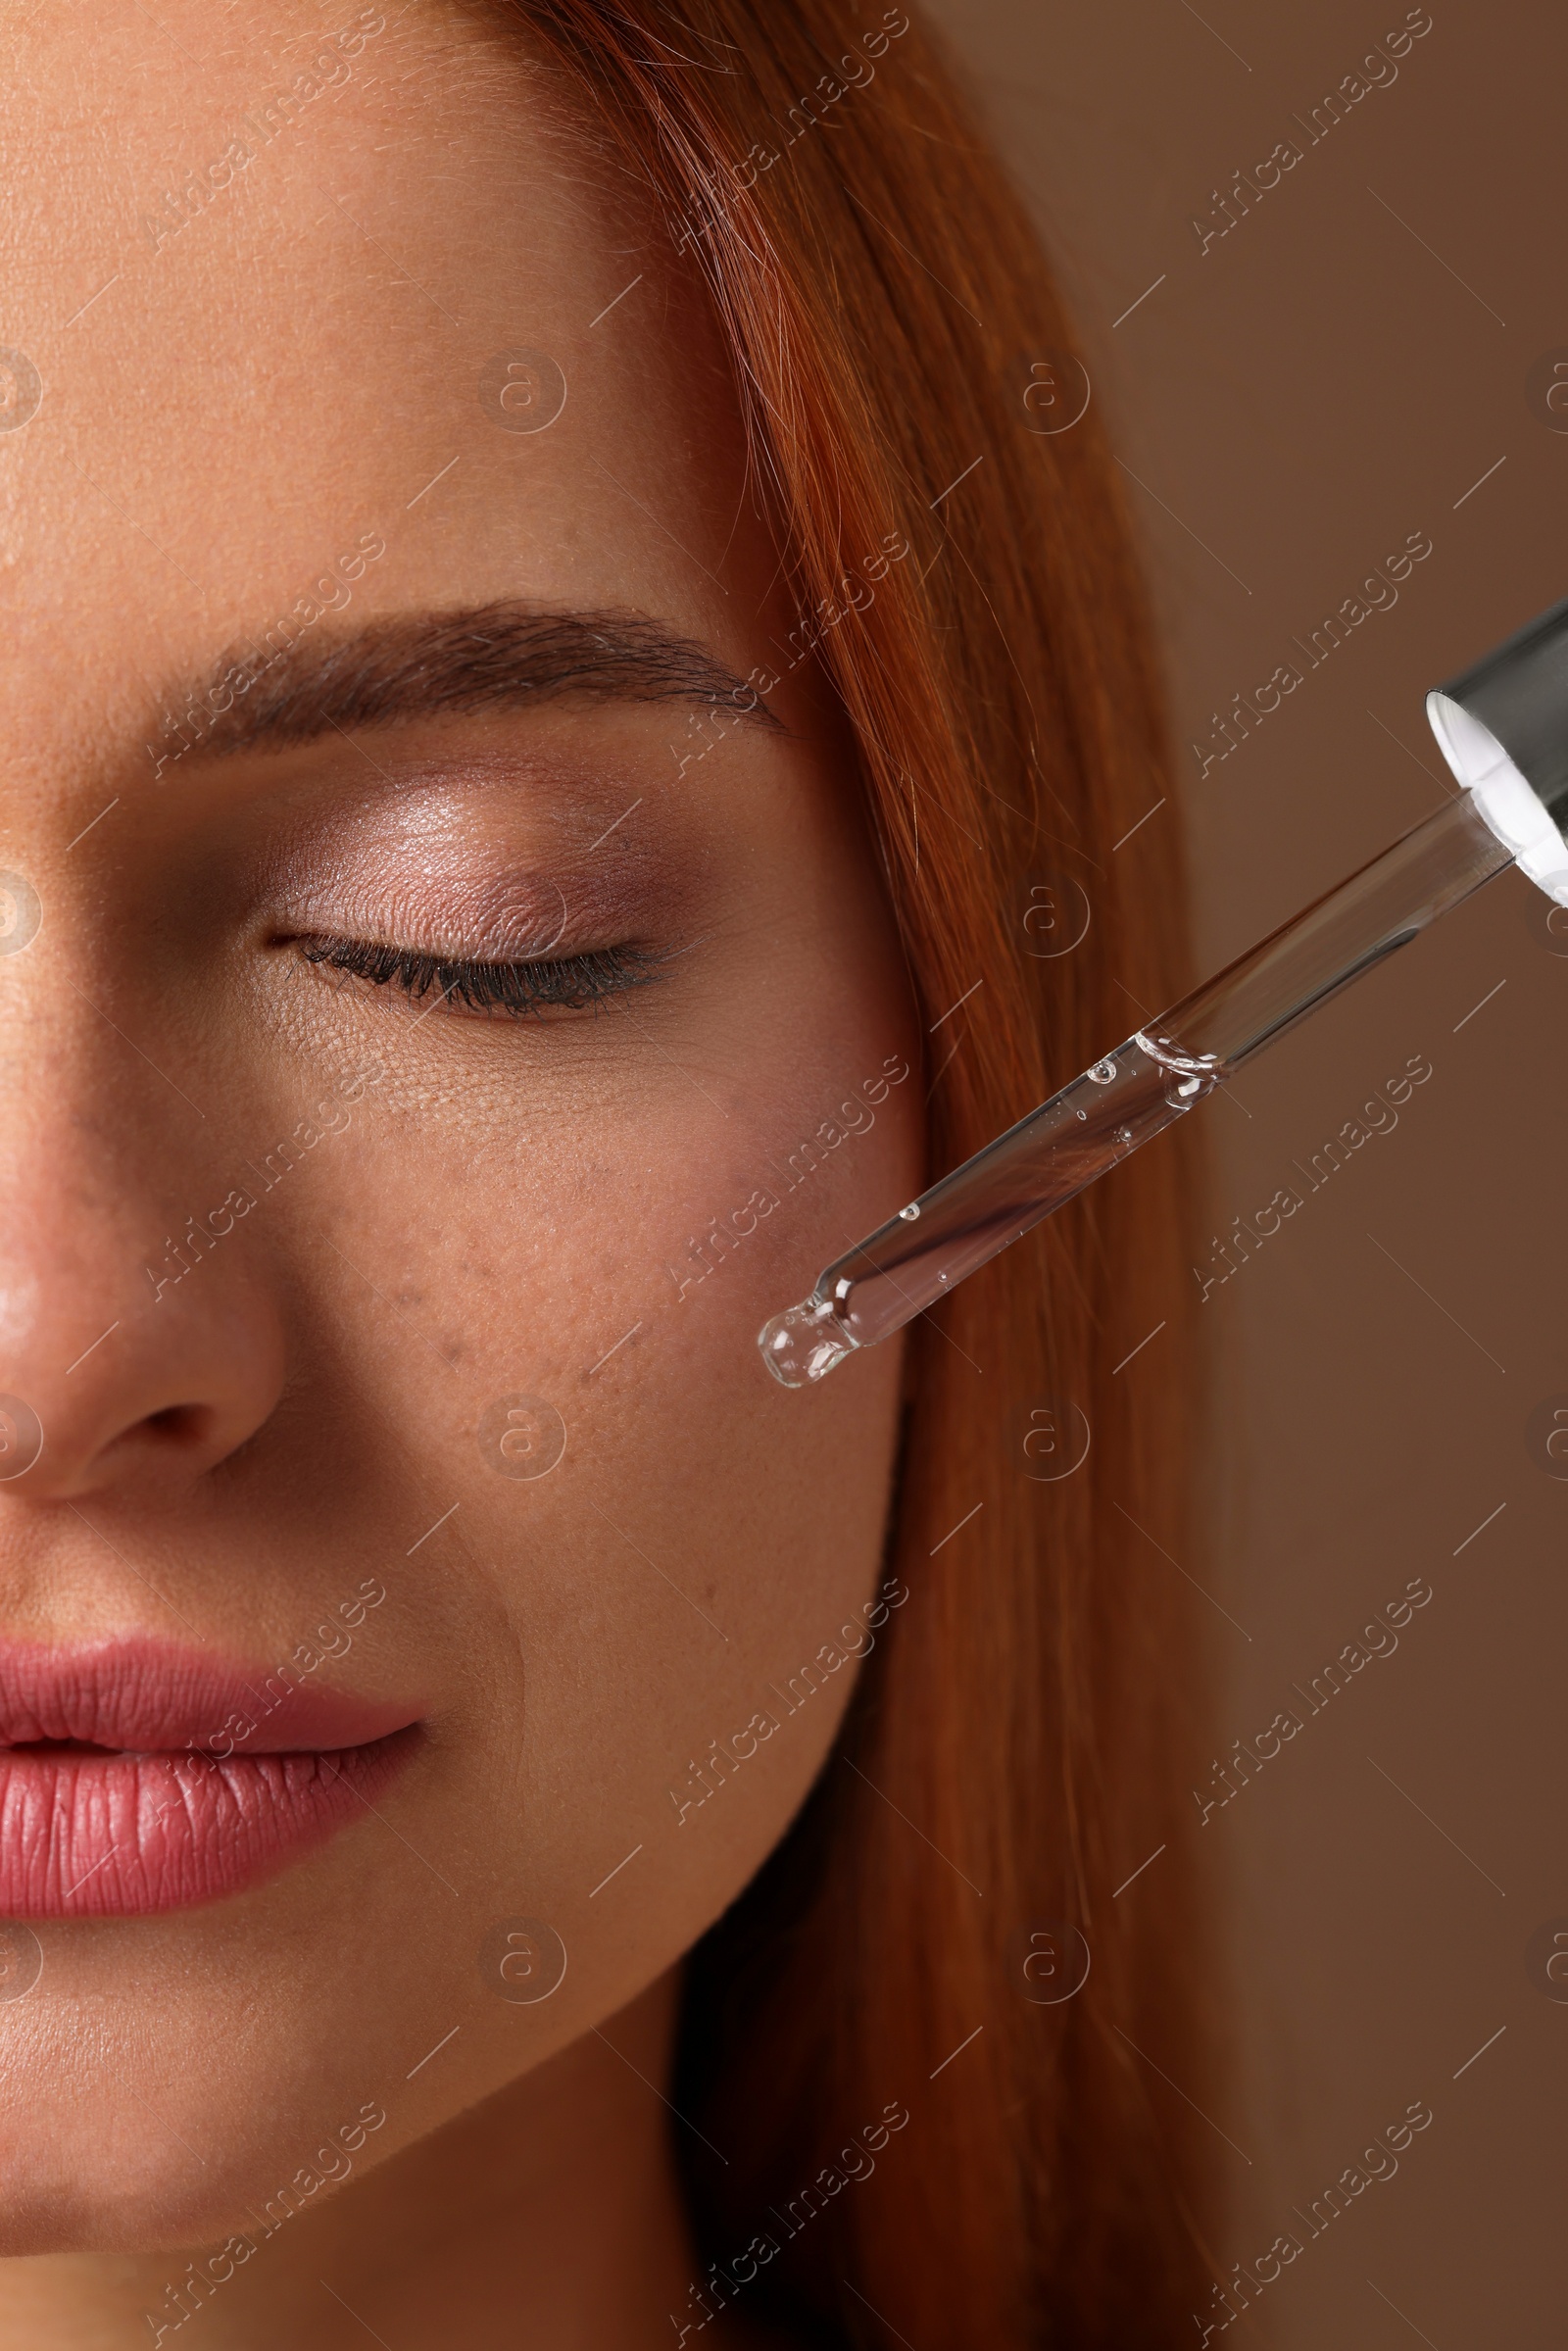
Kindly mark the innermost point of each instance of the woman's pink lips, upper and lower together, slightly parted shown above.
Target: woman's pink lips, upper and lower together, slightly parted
(142, 1779)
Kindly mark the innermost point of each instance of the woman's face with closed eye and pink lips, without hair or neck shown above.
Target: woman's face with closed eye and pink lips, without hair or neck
(415, 1511)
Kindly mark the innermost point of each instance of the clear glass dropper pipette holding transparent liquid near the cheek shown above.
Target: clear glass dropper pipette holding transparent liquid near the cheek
(1503, 728)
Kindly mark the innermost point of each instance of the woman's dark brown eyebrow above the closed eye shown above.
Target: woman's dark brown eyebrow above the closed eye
(457, 662)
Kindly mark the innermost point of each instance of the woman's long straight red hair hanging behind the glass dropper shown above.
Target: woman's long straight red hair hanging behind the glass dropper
(1012, 1750)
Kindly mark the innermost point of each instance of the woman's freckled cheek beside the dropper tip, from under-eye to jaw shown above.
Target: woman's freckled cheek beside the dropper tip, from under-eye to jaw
(652, 1541)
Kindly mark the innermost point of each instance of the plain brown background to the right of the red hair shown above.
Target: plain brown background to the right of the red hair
(1322, 382)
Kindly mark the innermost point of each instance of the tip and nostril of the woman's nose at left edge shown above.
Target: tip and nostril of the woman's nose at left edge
(140, 1341)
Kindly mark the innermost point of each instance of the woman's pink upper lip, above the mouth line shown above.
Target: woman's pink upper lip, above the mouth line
(152, 1696)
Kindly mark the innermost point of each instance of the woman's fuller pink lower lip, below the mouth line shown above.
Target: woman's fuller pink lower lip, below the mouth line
(95, 1835)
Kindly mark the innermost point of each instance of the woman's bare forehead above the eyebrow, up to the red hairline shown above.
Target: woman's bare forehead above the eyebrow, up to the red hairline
(267, 293)
